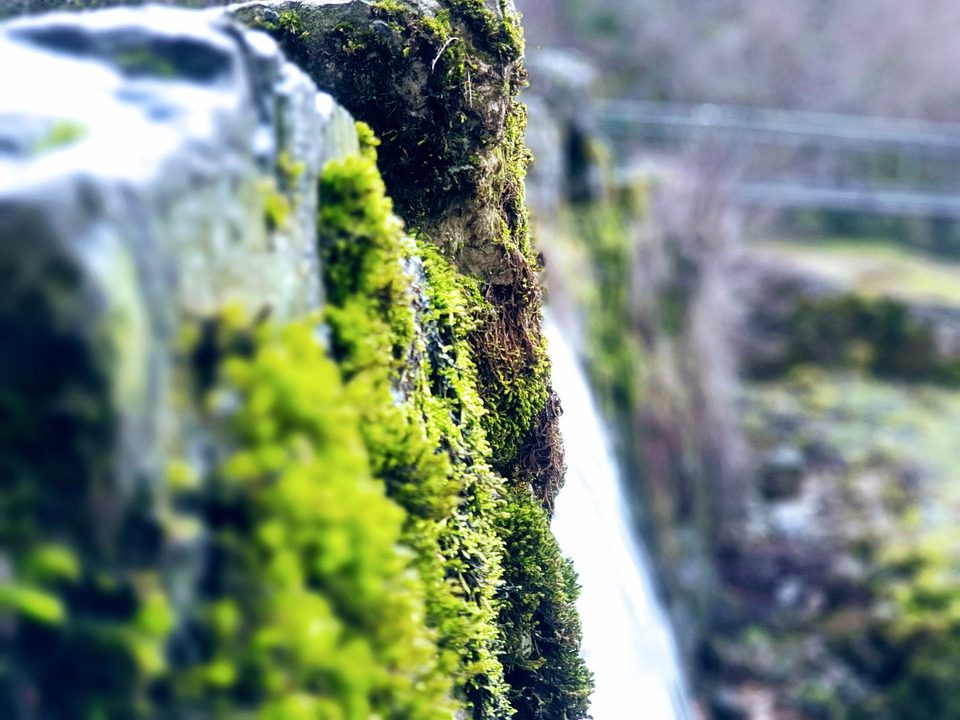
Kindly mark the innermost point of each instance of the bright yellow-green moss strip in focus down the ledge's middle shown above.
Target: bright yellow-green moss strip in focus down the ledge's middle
(419, 416)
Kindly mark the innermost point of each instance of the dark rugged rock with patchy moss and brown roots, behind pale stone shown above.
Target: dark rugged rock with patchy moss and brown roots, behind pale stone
(437, 83)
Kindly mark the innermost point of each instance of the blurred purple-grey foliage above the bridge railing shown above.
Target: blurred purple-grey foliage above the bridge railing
(883, 57)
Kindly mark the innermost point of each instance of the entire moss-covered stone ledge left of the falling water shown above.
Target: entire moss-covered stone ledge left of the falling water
(332, 509)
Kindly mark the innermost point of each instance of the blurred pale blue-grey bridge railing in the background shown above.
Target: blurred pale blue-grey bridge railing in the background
(804, 159)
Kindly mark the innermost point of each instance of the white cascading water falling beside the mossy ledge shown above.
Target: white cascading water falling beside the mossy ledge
(627, 639)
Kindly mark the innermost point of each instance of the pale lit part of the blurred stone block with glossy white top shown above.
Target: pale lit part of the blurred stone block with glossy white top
(160, 172)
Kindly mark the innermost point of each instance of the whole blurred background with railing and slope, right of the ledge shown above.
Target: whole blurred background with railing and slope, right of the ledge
(749, 211)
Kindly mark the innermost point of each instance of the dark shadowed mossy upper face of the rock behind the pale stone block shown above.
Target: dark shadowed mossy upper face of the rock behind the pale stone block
(369, 54)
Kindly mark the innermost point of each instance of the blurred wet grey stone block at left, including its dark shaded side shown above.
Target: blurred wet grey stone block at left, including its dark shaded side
(109, 241)
